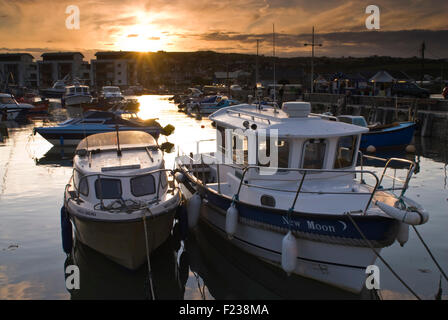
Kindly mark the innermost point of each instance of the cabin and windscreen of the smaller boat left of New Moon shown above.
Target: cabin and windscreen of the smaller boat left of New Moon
(105, 171)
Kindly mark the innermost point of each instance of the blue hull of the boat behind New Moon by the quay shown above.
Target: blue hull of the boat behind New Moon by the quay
(394, 137)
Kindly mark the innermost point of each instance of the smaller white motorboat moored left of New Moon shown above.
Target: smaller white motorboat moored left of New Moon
(119, 198)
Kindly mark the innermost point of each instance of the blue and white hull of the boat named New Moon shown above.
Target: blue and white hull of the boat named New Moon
(330, 249)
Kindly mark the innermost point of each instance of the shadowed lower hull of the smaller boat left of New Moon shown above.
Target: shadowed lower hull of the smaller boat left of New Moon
(124, 242)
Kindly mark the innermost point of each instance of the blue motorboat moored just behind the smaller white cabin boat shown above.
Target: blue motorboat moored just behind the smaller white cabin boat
(72, 131)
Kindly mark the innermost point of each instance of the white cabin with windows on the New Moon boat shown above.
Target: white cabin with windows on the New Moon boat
(302, 140)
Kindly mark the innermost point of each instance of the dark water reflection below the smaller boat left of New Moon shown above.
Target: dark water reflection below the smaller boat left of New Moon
(102, 279)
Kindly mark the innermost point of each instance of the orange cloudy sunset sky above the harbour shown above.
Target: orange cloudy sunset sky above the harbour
(226, 26)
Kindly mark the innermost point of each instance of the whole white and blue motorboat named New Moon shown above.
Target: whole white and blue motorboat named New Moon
(302, 206)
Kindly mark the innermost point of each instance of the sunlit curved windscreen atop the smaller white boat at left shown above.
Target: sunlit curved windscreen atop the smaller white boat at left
(103, 140)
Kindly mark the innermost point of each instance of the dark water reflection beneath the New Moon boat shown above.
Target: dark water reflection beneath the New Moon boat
(229, 273)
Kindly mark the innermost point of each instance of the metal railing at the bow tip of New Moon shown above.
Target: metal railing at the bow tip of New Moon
(387, 165)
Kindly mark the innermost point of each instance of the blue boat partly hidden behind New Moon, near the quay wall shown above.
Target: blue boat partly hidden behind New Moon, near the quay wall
(394, 135)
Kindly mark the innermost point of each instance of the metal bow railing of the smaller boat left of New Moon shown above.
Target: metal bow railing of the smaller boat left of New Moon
(102, 175)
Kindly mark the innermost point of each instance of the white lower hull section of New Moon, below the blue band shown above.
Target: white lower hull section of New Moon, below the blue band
(337, 265)
